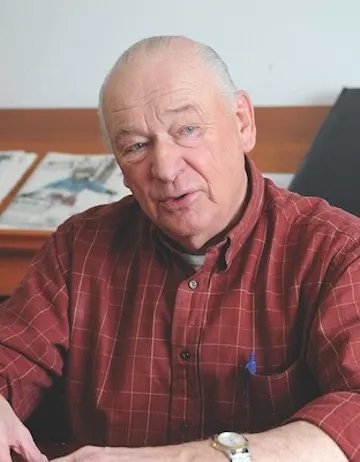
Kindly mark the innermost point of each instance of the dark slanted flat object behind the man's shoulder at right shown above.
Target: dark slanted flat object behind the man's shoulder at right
(331, 168)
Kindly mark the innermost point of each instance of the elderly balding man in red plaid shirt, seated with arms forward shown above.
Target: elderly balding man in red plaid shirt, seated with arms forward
(209, 316)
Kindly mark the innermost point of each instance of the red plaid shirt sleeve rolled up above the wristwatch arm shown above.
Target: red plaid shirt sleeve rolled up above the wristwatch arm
(334, 357)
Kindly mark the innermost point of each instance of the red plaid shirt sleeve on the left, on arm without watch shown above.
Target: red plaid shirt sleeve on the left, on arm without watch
(34, 328)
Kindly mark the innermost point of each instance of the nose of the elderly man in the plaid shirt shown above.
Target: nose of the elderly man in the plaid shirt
(166, 160)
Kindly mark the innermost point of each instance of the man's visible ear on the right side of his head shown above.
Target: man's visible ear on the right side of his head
(246, 118)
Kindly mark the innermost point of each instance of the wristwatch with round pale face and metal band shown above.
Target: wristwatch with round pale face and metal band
(233, 445)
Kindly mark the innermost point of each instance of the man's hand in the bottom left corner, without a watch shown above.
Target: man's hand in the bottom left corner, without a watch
(14, 435)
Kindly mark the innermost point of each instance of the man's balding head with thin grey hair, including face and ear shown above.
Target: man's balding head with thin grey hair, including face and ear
(179, 131)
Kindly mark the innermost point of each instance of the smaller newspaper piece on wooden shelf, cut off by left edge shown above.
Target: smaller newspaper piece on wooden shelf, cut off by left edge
(13, 165)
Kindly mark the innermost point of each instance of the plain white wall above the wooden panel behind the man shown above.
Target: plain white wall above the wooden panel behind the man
(55, 53)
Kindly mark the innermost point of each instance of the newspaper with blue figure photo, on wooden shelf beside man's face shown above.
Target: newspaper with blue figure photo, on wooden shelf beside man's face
(62, 185)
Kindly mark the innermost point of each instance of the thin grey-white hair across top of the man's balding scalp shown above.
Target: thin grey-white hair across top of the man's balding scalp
(164, 50)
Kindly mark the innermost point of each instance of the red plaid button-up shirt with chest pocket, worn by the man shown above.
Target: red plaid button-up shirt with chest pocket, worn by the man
(153, 352)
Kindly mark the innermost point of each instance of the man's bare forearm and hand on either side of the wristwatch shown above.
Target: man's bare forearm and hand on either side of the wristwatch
(285, 443)
